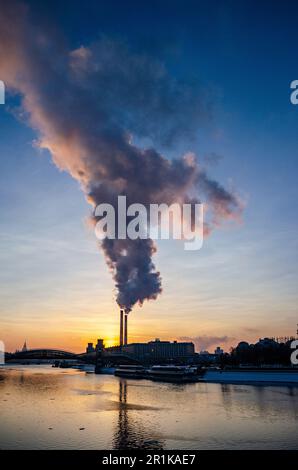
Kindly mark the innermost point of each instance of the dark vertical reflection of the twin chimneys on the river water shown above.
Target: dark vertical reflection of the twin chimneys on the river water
(130, 433)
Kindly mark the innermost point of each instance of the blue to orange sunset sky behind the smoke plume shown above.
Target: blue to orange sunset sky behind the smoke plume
(55, 287)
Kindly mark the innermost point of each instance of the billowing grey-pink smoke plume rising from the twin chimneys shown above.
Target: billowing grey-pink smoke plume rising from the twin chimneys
(89, 107)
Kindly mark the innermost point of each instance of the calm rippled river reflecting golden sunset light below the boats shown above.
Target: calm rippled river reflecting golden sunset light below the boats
(46, 408)
